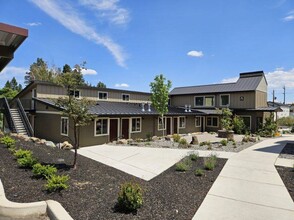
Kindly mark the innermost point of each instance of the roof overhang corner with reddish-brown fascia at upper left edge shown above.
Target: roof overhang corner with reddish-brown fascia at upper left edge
(11, 38)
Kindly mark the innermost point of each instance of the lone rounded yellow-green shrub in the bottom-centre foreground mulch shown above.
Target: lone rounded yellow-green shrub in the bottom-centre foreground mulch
(130, 196)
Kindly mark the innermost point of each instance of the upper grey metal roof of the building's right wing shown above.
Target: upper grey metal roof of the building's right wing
(246, 82)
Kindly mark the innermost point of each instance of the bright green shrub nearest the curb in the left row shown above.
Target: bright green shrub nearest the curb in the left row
(57, 183)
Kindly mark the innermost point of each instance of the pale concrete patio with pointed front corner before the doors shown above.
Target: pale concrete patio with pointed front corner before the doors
(142, 162)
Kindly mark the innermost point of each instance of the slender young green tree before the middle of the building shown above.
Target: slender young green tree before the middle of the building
(159, 97)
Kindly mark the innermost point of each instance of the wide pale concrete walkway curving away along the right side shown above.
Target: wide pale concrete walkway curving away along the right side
(249, 187)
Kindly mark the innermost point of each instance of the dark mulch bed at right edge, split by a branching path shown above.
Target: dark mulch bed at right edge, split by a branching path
(287, 173)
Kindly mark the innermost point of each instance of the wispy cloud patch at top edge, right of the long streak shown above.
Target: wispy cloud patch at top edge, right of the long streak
(108, 9)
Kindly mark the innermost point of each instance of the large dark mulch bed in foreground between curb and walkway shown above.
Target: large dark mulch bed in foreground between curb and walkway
(94, 187)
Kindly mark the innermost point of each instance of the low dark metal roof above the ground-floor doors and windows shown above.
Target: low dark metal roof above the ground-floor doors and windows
(105, 108)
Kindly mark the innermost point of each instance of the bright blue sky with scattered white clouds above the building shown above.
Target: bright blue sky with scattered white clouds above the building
(126, 43)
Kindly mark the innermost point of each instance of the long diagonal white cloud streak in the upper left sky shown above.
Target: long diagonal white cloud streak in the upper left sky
(66, 15)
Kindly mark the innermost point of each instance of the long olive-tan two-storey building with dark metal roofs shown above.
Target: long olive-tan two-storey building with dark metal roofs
(129, 114)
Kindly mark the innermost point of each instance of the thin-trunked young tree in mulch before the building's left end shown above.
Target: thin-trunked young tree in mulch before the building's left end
(77, 110)
